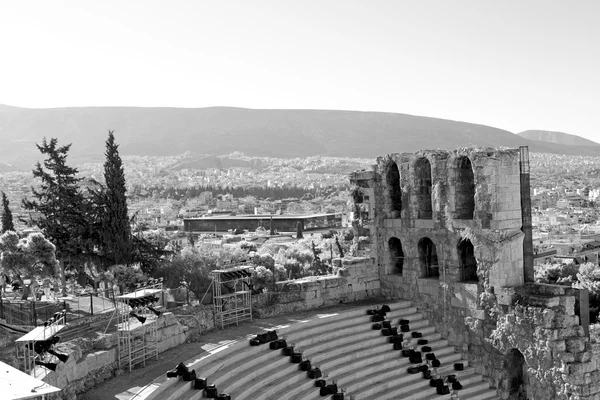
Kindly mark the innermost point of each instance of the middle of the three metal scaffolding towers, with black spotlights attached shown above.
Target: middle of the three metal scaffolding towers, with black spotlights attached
(137, 342)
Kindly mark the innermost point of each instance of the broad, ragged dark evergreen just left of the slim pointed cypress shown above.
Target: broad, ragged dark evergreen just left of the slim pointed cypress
(59, 203)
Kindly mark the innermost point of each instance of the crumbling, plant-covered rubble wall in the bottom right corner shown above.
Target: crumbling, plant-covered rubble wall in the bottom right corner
(560, 360)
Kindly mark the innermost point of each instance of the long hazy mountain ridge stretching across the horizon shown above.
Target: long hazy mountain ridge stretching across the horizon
(273, 133)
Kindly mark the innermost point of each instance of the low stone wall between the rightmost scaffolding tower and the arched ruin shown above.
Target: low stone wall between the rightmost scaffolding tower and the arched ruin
(357, 278)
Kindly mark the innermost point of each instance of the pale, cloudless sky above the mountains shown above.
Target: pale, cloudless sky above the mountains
(512, 64)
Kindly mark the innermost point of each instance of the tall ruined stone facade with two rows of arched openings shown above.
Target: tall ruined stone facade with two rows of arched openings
(446, 230)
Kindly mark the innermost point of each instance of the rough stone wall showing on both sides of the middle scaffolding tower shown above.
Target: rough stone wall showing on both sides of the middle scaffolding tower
(93, 361)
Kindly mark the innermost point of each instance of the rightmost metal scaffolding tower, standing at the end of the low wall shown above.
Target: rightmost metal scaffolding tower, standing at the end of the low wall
(232, 297)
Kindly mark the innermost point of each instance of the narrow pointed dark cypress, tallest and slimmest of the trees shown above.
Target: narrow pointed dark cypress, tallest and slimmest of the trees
(116, 228)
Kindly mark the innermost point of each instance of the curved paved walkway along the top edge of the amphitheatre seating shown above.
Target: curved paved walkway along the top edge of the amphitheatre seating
(127, 384)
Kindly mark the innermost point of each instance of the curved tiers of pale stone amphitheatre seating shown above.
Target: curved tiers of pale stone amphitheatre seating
(347, 350)
